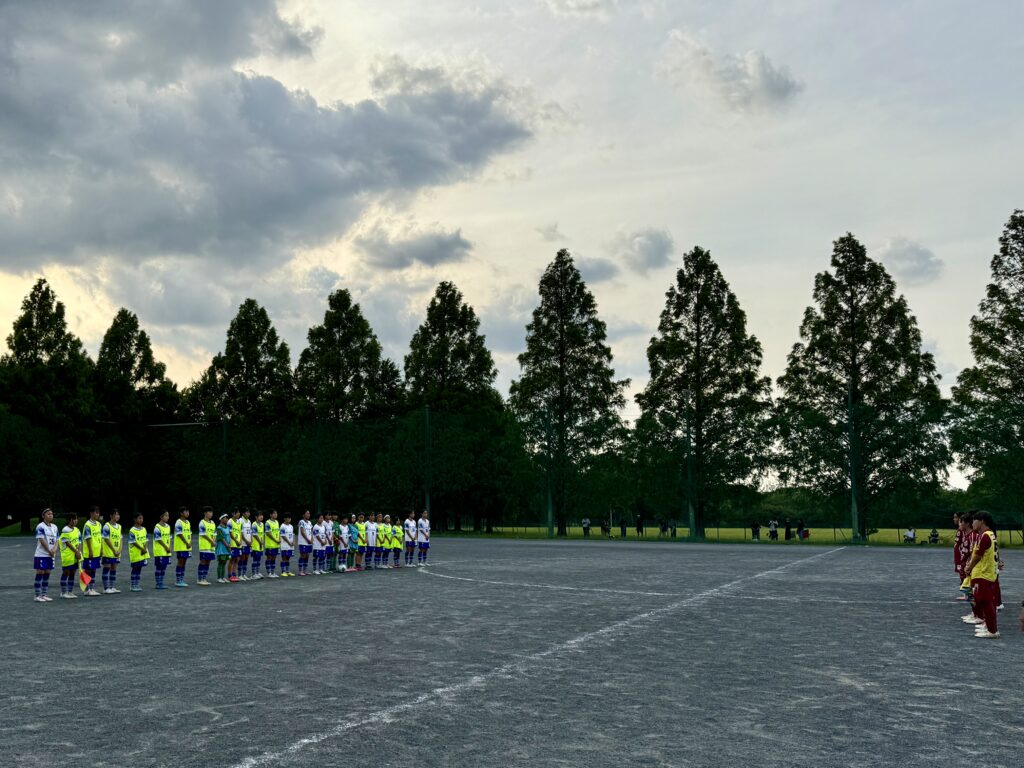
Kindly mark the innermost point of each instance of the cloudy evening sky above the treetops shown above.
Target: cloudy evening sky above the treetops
(177, 157)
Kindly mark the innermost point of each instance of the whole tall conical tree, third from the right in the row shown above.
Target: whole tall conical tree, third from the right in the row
(706, 395)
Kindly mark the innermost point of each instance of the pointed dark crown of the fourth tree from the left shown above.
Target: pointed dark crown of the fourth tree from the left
(343, 374)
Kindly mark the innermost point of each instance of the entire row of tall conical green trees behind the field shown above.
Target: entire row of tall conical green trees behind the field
(858, 430)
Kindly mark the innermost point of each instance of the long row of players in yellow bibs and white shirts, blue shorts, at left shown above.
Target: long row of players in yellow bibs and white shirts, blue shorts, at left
(244, 546)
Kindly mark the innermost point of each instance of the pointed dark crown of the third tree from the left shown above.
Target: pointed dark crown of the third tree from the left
(251, 380)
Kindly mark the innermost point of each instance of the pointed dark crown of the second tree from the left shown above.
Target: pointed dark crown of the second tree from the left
(132, 386)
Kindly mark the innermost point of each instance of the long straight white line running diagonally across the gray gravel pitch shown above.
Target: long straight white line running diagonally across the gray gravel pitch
(446, 694)
